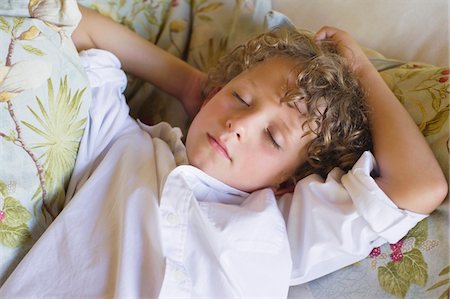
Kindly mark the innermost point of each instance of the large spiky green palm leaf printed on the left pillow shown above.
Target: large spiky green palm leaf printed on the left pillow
(60, 129)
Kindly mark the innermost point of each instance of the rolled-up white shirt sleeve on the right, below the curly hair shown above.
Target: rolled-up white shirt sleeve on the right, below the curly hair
(335, 222)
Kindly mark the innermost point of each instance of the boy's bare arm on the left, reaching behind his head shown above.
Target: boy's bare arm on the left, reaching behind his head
(141, 58)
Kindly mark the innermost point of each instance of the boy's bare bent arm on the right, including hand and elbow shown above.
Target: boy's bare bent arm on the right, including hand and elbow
(408, 171)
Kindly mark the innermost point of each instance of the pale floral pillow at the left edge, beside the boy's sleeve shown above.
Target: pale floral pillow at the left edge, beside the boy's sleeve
(44, 99)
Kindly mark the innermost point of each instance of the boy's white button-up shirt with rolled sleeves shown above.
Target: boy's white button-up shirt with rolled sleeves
(139, 226)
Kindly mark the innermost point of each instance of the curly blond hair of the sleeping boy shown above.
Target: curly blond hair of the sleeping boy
(334, 98)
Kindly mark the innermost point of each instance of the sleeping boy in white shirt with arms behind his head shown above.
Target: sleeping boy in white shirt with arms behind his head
(151, 217)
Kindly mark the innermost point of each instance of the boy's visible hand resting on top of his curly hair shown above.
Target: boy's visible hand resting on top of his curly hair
(346, 46)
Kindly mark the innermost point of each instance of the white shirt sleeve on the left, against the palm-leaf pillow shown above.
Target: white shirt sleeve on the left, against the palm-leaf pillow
(108, 117)
